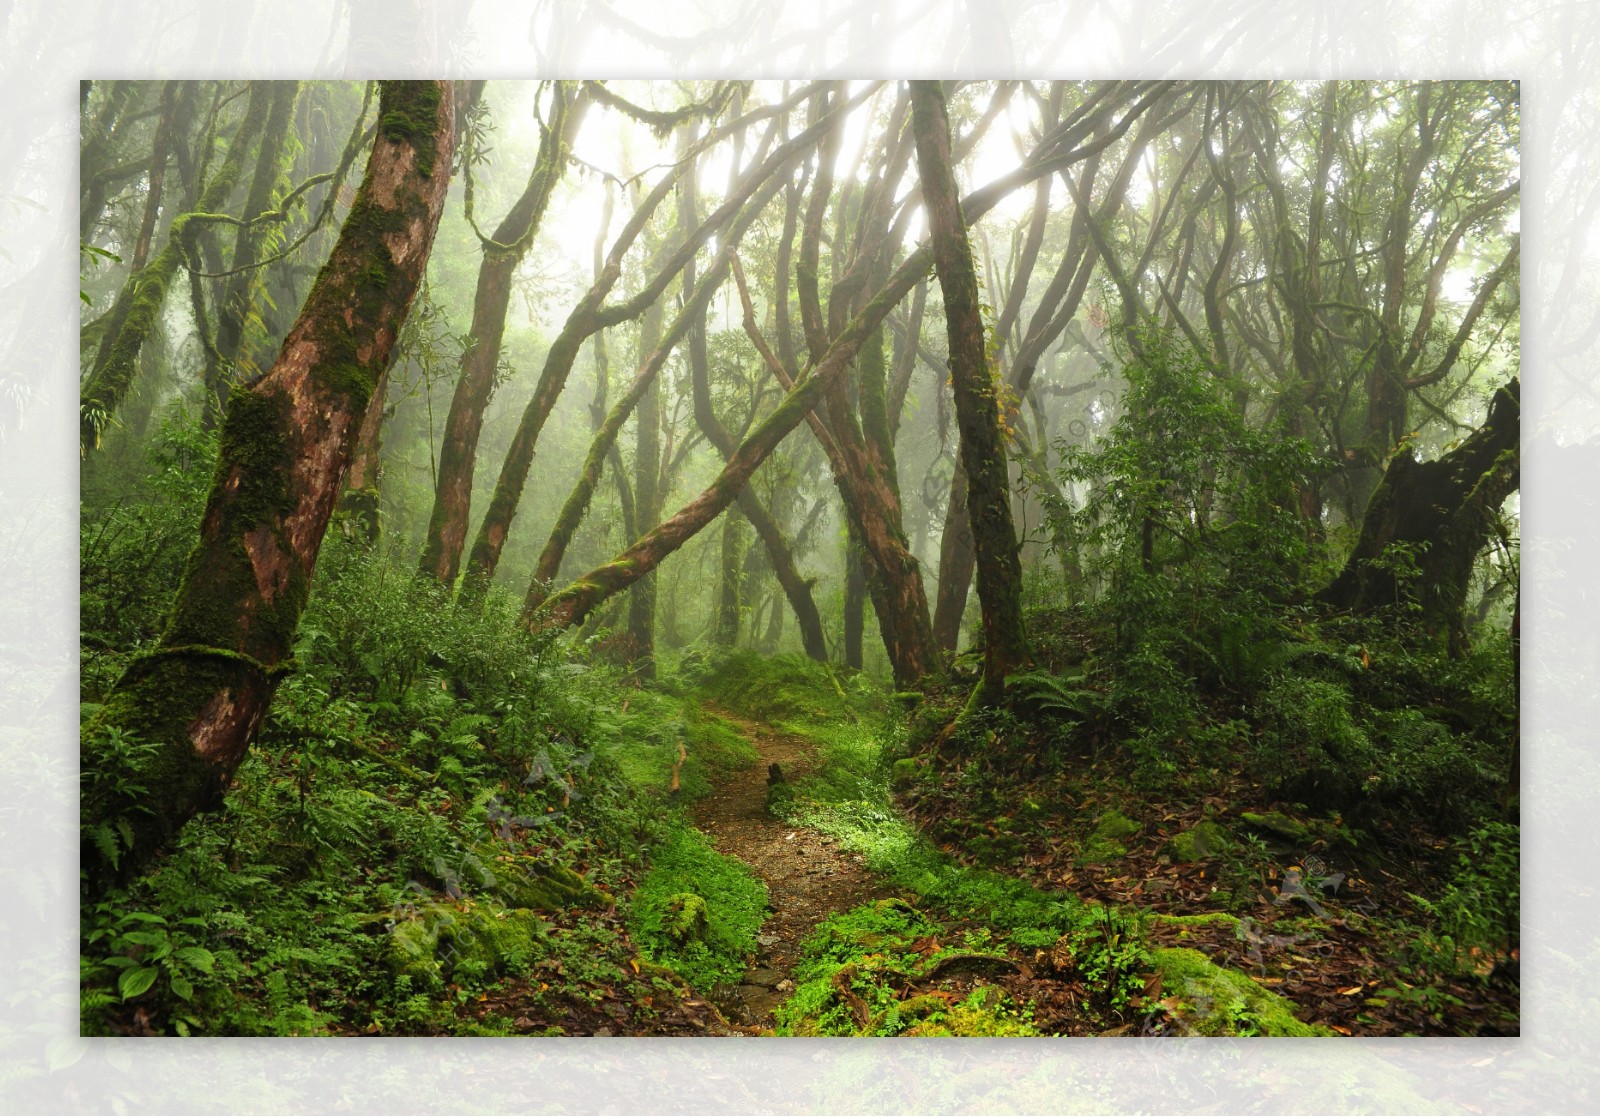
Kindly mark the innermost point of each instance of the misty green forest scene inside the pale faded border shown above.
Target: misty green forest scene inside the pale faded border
(826, 558)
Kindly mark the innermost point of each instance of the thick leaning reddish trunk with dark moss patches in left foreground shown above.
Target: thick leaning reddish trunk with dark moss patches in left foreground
(202, 694)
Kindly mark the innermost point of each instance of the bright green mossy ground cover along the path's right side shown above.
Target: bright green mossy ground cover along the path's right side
(878, 971)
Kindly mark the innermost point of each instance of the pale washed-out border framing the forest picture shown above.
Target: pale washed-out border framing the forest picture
(46, 47)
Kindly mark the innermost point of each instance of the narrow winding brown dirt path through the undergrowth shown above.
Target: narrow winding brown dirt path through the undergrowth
(807, 876)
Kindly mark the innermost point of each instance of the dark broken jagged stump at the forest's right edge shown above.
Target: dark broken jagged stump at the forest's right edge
(1436, 516)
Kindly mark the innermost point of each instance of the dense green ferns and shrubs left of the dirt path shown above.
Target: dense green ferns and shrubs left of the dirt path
(441, 812)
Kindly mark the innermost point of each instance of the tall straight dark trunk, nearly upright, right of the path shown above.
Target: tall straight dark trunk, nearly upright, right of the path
(977, 404)
